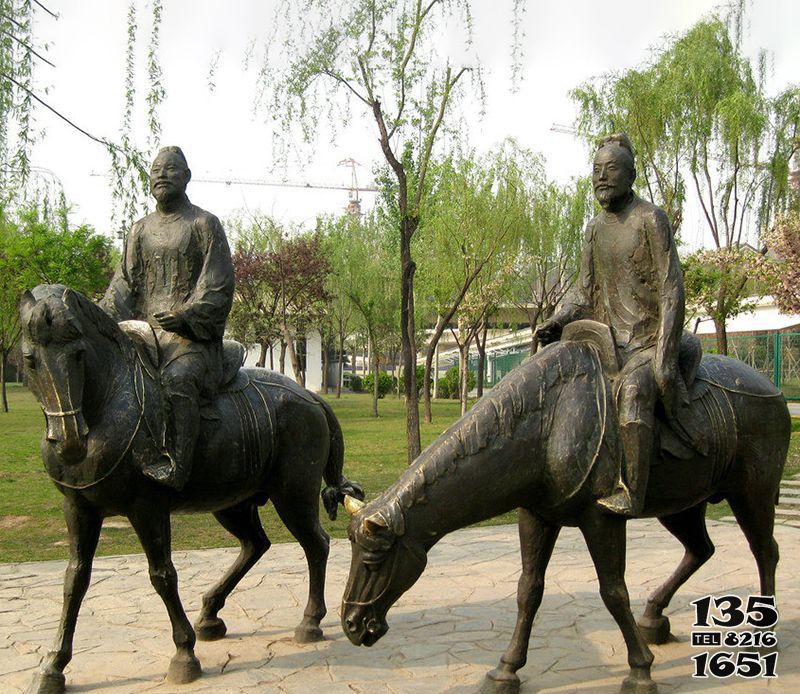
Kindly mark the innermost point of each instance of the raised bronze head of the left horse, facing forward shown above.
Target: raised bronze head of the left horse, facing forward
(55, 349)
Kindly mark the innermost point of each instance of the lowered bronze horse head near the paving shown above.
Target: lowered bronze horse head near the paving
(385, 564)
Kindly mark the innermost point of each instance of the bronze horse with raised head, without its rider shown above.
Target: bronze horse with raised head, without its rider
(264, 438)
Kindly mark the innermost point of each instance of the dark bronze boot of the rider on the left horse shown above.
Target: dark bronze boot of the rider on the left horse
(174, 464)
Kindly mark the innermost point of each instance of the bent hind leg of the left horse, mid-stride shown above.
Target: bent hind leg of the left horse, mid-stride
(243, 523)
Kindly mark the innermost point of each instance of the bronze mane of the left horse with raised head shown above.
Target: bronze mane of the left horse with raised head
(82, 315)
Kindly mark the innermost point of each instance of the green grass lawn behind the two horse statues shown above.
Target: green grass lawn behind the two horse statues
(32, 525)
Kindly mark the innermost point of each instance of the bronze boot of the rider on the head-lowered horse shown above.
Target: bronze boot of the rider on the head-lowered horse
(627, 499)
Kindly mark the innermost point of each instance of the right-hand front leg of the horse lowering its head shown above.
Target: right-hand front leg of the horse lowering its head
(605, 538)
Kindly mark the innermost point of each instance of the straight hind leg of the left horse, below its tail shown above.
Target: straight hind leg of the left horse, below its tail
(298, 508)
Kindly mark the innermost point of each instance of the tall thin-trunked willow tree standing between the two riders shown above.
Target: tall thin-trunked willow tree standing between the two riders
(380, 60)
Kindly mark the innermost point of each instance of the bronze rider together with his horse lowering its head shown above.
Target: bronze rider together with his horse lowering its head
(619, 419)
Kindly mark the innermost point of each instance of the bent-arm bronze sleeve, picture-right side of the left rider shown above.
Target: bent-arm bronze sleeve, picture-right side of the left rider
(207, 309)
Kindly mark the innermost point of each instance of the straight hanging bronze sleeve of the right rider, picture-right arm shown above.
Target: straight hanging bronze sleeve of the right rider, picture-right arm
(669, 277)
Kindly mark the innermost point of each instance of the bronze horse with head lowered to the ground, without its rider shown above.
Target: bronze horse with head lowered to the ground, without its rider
(544, 441)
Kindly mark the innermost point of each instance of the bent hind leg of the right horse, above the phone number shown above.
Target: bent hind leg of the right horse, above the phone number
(689, 527)
